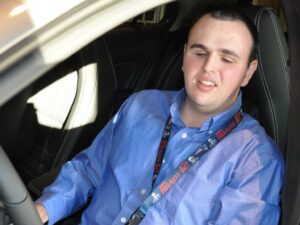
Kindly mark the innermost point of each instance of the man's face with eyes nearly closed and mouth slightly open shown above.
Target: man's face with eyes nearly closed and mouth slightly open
(215, 63)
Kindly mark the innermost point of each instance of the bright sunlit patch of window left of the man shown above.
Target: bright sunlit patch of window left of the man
(61, 99)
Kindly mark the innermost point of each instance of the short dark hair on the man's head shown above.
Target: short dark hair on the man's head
(231, 13)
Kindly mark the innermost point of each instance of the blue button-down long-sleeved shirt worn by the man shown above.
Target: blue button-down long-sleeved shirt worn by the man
(237, 182)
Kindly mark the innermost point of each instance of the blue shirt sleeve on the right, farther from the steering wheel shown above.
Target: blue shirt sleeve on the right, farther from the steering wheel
(253, 194)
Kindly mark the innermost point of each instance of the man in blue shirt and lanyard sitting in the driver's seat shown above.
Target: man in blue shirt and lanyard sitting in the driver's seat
(235, 181)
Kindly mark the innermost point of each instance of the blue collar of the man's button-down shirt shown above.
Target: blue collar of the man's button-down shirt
(212, 123)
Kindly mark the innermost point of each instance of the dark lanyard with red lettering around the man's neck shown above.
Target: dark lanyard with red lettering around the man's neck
(183, 167)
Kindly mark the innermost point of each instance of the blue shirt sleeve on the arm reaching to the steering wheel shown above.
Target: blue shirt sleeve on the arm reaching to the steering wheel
(79, 177)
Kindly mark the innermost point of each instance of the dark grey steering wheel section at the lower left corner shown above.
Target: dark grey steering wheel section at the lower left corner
(15, 197)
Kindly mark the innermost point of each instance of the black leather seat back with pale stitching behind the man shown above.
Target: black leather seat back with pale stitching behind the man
(269, 88)
